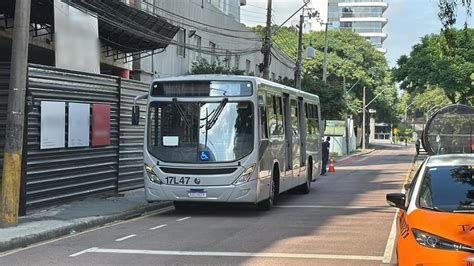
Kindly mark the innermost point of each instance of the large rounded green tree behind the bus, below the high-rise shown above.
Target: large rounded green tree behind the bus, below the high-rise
(349, 56)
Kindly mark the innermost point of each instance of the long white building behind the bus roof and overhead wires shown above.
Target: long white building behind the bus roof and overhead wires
(210, 29)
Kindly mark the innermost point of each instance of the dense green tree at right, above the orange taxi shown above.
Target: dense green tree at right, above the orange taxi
(434, 63)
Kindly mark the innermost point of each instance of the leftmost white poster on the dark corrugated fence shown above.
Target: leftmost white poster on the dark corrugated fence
(53, 123)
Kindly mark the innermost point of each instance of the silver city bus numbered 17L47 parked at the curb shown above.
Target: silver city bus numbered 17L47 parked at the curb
(217, 138)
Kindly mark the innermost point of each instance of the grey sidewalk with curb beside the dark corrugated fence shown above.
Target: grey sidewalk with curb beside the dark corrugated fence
(76, 216)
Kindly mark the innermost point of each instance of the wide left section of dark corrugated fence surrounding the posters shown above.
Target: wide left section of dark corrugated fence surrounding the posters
(56, 175)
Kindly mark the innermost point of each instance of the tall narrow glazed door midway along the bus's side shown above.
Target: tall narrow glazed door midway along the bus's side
(295, 137)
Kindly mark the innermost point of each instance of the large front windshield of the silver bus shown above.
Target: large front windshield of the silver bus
(199, 132)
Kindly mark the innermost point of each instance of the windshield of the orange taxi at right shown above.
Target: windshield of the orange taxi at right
(448, 188)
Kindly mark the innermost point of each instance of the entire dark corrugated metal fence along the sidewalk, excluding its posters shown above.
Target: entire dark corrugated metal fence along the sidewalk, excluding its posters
(52, 176)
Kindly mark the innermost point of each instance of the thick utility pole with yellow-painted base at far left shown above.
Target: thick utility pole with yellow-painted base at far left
(9, 202)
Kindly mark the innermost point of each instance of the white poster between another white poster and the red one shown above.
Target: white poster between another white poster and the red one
(78, 125)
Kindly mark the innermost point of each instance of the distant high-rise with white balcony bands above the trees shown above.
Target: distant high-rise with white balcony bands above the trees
(364, 17)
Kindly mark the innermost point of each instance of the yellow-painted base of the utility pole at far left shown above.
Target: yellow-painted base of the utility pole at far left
(10, 189)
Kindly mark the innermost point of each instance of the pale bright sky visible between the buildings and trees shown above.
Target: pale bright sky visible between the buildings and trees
(408, 21)
